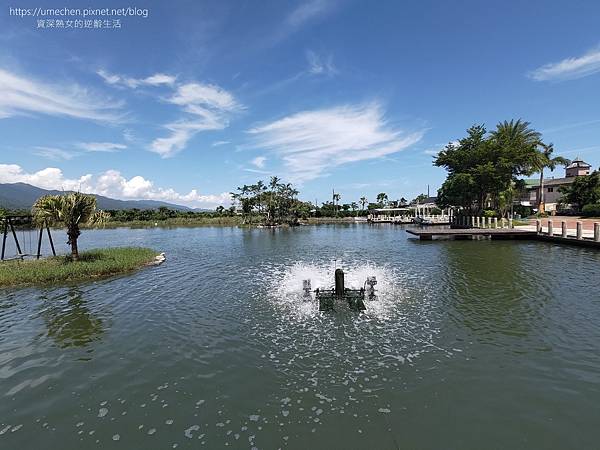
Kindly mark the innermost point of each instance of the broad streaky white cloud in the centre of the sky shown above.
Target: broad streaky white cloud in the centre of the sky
(311, 142)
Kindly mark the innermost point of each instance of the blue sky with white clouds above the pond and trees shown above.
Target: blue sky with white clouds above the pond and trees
(203, 96)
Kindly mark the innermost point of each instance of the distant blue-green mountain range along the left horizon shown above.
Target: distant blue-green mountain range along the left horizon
(23, 196)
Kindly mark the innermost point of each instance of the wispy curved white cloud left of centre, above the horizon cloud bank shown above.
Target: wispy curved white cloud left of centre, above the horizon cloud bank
(209, 108)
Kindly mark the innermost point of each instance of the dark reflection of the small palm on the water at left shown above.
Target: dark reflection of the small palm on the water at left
(69, 320)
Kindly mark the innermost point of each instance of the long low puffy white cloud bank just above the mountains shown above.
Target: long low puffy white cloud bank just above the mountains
(110, 184)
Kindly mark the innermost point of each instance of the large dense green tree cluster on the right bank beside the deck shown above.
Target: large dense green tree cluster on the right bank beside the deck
(484, 169)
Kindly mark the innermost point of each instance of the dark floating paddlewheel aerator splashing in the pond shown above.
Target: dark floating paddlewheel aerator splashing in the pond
(339, 294)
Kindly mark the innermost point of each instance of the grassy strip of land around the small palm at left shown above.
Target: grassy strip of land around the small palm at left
(92, 264)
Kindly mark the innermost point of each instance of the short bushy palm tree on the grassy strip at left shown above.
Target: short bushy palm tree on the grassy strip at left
(70, 210)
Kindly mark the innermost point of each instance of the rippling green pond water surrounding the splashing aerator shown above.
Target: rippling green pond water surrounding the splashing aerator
(485, 344)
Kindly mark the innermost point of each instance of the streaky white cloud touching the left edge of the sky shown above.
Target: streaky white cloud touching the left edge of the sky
(21, 95)
